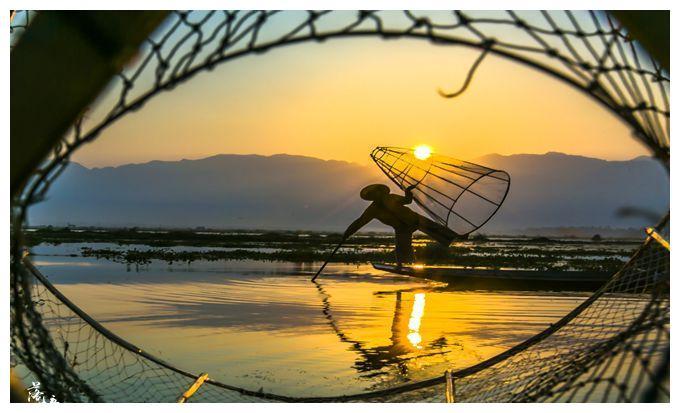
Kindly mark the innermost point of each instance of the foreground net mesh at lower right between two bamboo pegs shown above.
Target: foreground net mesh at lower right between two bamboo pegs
(611, 348)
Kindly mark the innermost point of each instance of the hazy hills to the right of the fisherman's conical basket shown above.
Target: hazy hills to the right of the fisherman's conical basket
(562, 190)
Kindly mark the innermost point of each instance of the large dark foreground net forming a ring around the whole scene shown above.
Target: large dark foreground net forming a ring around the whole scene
(612, 347)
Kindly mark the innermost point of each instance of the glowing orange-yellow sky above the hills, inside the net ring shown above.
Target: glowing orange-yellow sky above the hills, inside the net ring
(340, 99)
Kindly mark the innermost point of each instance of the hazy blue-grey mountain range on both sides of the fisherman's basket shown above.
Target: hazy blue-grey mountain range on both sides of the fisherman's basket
(297, 192)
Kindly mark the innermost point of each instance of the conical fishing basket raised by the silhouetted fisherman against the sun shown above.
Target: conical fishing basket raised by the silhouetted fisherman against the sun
(460, 195)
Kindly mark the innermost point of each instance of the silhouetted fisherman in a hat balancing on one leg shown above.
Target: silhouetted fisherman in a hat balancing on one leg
(390, 209)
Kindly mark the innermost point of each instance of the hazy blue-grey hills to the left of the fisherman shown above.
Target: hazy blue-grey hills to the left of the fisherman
(224, 191)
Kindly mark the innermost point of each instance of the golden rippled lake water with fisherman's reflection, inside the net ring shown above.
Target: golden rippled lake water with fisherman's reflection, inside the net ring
(264, 325)
